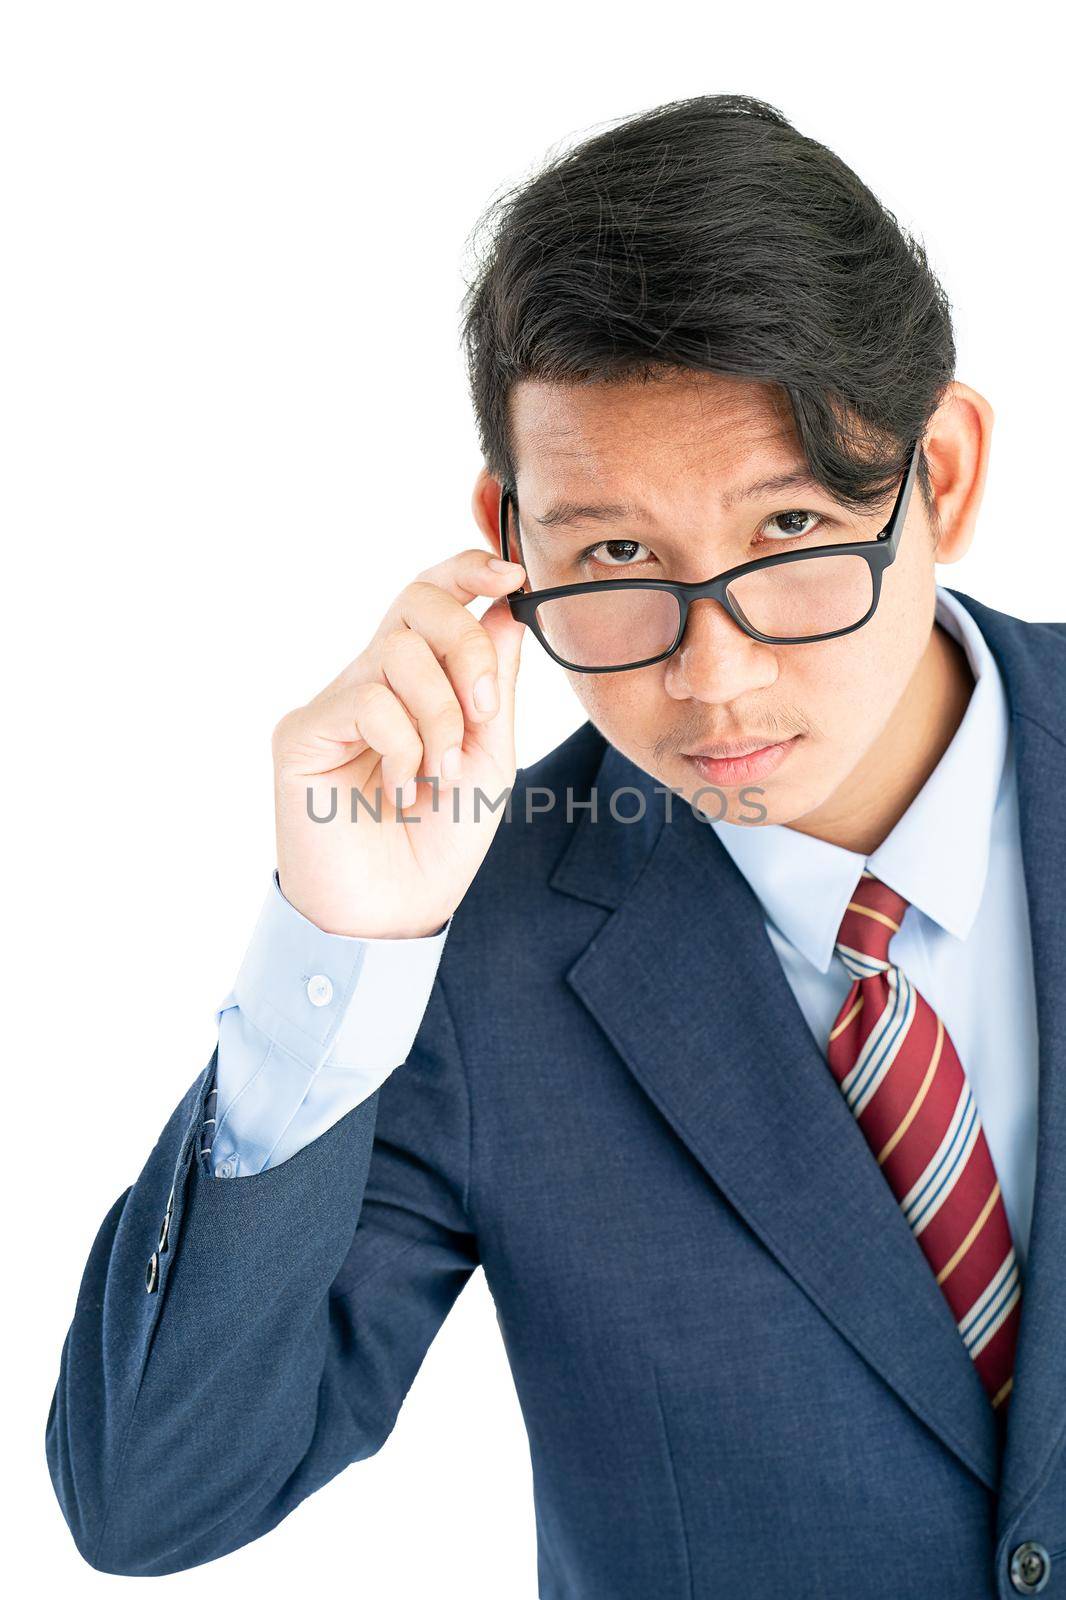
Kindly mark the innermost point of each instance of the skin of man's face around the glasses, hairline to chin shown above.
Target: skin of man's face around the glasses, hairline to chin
(681, 452)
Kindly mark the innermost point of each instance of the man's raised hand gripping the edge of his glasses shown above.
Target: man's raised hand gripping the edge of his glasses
(391, 716)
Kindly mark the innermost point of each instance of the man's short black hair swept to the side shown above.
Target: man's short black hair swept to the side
(710, 236)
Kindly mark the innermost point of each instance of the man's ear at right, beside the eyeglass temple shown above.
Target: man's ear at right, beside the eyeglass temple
(958, 446)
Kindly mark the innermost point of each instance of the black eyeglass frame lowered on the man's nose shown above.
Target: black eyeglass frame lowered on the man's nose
(880, 554)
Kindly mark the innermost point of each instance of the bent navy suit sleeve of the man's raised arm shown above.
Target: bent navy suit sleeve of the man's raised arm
(238, 1345)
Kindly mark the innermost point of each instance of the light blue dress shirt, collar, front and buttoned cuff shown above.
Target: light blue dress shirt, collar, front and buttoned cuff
(318, 1022)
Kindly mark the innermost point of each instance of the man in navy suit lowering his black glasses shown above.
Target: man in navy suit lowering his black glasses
(719, 1049)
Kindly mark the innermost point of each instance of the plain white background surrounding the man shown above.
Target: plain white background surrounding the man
(234, 425)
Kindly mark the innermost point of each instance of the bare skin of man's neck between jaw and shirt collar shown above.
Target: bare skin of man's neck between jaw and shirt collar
(878, 791)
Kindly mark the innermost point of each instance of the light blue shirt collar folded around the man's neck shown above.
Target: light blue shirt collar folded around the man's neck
(937, 854)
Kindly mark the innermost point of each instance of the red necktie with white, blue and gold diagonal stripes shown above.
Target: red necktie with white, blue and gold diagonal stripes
(902, 1078)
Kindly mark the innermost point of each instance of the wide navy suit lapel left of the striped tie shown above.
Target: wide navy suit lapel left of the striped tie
(691, 993)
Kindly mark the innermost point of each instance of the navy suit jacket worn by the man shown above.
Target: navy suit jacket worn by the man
(735, 1367)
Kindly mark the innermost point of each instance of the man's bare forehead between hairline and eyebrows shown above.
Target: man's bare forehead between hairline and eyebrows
(692, 428)
